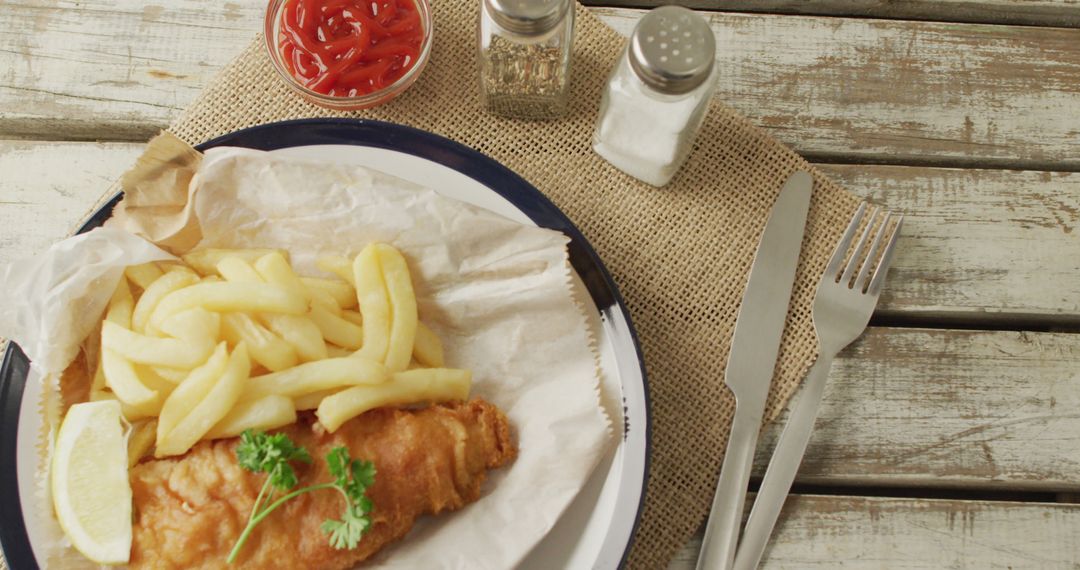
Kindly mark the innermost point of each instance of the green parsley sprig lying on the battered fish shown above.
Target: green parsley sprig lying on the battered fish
(261, 453)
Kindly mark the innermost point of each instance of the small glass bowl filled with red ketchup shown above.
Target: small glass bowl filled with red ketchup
(348, 55)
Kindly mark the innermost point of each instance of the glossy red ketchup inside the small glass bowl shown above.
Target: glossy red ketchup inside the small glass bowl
(349, 48)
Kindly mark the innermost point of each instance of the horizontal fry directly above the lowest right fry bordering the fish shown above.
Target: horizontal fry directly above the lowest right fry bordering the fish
(316, 377)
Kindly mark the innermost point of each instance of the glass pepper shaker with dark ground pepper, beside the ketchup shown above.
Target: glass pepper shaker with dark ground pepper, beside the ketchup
(525, 57)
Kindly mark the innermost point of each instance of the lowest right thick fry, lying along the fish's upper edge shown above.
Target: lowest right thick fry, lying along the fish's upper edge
(411, 387)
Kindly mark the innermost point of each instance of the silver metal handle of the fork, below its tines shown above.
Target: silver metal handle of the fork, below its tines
(782, 468)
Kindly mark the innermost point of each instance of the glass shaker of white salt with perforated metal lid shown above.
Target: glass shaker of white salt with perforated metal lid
(657, 96)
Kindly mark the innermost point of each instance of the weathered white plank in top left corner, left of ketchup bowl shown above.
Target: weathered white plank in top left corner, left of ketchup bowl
(113, 70)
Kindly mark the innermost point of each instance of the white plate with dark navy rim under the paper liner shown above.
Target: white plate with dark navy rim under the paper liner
(597, 530)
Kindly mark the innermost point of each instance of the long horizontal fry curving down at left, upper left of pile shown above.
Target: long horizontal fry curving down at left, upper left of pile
(229, 297)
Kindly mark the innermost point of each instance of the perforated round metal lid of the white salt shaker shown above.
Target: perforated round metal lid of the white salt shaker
(672, 50)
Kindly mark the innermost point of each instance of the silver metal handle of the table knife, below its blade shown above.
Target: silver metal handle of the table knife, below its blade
(722, 533)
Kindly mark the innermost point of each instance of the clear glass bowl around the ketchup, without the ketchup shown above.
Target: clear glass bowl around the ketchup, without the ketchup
(272, 29)
